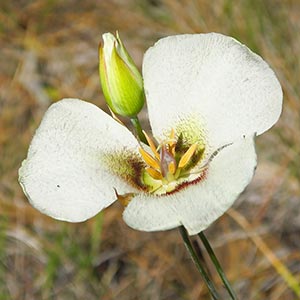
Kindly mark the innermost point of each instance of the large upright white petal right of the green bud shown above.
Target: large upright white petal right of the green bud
(232, 90)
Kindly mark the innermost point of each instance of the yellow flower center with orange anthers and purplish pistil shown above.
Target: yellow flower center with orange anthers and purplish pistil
(169, 164)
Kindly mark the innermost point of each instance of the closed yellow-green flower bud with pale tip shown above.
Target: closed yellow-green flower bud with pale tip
(122, 83)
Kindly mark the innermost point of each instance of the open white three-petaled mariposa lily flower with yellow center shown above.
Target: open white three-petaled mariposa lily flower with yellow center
(208, 96)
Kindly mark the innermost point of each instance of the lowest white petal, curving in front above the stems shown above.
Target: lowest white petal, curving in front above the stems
(197, 206)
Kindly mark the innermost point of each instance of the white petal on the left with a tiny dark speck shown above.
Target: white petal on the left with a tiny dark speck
(64, 175)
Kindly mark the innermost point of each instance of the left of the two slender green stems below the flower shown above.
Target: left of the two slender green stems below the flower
(196, 260)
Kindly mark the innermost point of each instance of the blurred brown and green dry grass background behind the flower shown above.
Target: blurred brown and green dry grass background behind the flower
(48, 51)
